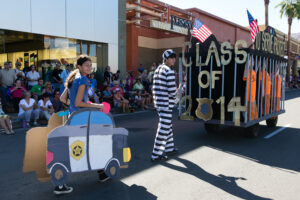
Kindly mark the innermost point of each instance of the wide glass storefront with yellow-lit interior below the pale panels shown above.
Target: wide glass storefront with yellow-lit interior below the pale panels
(46, 51)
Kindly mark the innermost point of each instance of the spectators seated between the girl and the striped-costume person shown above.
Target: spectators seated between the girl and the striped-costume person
(134, 92)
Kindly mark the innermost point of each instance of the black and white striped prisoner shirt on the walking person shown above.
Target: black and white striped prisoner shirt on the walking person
(164, 88)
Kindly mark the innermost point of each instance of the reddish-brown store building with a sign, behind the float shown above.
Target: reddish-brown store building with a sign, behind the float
(153, 26)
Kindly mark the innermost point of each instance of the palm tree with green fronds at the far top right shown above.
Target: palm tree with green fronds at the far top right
(291, 9)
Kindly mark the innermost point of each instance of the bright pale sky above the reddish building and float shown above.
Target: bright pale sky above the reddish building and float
(235, 11)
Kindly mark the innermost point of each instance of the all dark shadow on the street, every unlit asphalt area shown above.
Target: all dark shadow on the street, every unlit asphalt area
(282, 152)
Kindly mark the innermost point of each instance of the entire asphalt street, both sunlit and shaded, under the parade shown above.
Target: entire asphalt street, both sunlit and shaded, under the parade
(224, 165)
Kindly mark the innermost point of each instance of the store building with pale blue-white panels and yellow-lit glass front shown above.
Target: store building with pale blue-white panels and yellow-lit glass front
(50, 31)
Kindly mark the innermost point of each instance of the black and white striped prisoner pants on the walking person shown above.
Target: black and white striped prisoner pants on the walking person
(164, 141)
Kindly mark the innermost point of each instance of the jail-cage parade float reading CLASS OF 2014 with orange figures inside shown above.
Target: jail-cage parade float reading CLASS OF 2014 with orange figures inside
(233, 84)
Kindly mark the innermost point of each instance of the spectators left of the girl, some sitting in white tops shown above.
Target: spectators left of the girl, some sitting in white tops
(29, 96)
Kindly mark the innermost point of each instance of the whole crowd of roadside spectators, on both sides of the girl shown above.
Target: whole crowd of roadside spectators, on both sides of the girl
(34, 98)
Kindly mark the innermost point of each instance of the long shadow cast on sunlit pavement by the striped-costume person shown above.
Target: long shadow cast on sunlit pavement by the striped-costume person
(225, 183)
